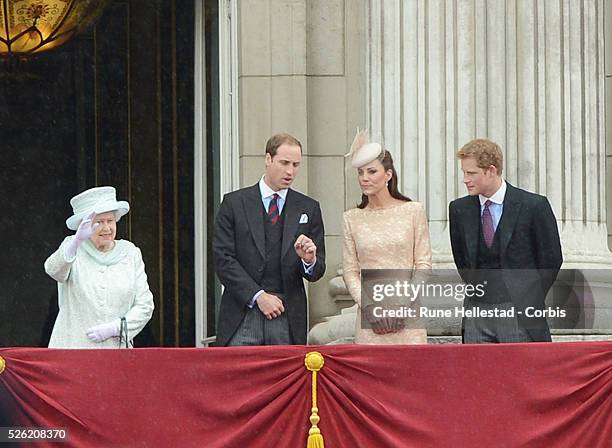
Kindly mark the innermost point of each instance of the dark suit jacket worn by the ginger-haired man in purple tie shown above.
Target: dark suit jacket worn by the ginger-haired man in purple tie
(529, 245)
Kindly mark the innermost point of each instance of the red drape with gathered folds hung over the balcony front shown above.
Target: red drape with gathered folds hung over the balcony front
(505, 395)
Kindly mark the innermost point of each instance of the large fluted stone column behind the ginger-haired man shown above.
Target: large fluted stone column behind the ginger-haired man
(527, 74)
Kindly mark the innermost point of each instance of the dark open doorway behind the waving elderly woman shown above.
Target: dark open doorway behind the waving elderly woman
(112, 107)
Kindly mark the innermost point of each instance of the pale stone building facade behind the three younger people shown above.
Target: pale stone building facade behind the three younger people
(425, 77)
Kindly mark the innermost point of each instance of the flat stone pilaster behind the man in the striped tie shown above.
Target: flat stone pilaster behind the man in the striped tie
(271, 81)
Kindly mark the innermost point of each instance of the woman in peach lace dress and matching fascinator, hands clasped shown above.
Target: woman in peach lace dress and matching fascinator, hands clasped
(386, 231)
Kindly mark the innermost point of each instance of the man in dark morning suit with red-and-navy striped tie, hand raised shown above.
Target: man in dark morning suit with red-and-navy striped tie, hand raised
(268, 238)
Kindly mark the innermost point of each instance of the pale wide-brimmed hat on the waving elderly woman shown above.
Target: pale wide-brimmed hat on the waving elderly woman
(97, 199)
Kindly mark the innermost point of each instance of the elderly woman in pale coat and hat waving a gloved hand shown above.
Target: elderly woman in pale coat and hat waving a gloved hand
(103, 295)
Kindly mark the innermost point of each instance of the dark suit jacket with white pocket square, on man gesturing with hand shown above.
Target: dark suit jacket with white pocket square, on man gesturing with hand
(239, 254)
